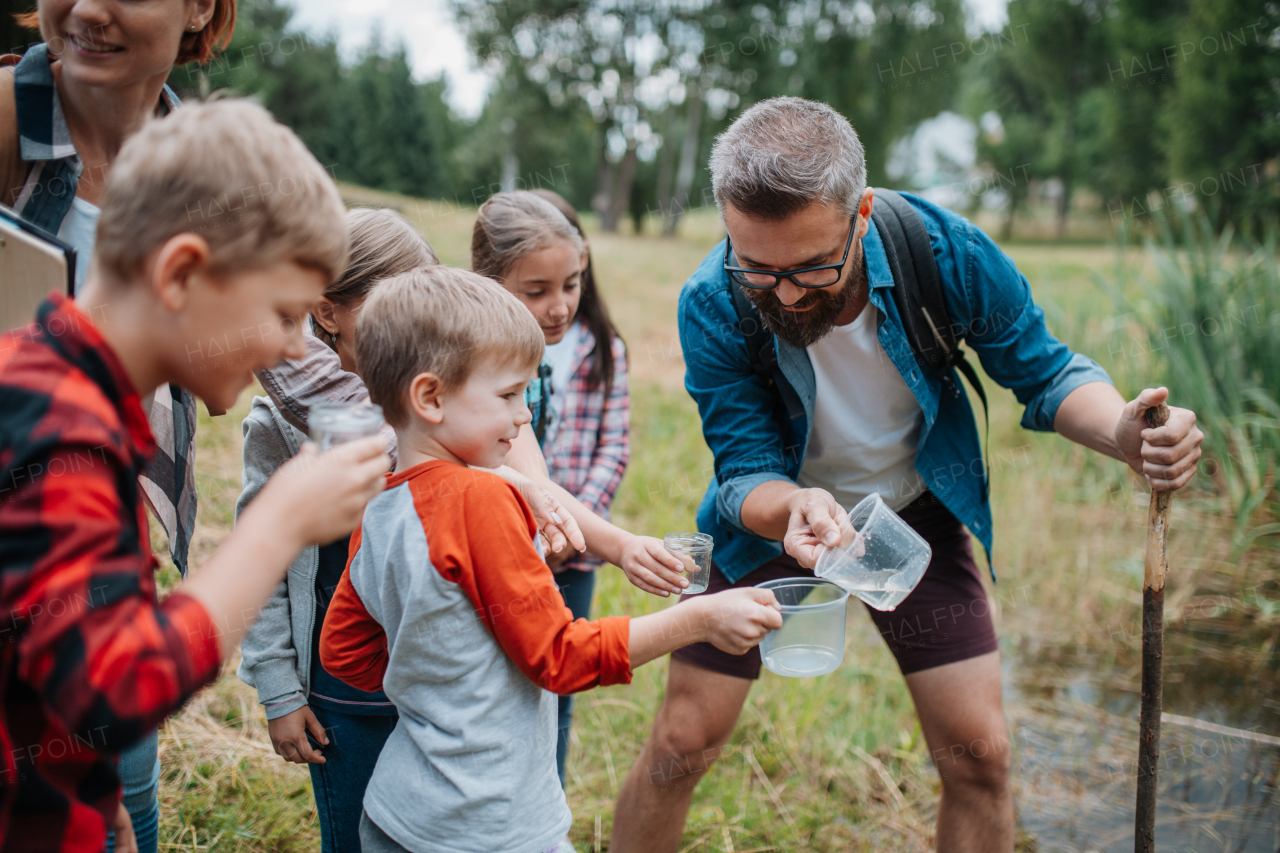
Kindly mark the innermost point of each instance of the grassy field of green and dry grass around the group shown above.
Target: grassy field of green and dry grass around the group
(838, 763)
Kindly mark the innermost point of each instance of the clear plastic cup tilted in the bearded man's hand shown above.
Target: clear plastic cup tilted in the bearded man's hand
(880, 558)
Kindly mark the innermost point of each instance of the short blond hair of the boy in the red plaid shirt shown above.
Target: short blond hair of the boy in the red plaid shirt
(235, 176)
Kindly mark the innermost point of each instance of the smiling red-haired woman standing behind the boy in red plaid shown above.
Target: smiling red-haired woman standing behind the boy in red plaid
(67, 106)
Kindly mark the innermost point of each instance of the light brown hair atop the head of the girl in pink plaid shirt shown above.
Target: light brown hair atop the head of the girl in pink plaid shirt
(511, 226)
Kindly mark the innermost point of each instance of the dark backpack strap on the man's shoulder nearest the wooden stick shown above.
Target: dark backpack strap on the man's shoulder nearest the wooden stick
(920, 300)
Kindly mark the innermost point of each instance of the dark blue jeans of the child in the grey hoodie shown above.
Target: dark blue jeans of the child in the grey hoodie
(355, 743)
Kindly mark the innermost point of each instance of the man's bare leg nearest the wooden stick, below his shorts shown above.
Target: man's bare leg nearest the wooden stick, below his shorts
(963, 720)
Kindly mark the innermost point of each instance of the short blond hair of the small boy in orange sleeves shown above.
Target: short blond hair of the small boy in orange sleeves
(441, 321)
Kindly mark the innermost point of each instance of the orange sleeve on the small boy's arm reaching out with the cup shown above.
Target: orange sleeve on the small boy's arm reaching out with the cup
(490, 553)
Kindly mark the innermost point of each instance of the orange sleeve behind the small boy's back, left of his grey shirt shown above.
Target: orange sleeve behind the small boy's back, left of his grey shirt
(353, 644)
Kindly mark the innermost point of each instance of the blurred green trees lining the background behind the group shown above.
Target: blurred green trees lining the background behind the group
(1151, 106)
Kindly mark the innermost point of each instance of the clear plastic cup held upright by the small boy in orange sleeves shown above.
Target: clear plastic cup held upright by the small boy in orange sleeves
(812, 638)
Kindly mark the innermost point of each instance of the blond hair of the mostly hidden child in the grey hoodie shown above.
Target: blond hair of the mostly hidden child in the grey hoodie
(383, 244)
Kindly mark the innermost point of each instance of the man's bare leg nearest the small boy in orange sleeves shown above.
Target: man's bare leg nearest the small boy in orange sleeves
(694, 723)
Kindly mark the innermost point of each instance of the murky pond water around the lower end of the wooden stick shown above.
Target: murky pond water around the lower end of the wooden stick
(1073, 718)
